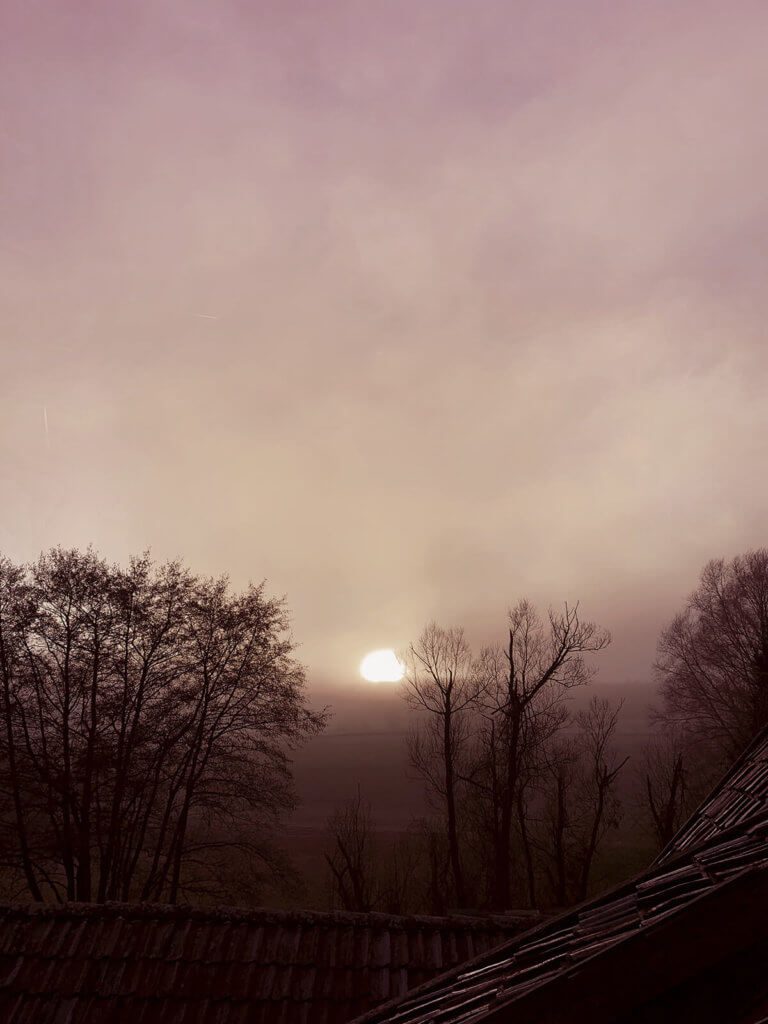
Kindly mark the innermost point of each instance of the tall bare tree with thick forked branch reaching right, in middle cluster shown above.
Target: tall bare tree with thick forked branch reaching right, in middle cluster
(525, 686)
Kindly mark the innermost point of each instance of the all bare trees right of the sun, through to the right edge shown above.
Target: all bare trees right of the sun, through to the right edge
(527, 795)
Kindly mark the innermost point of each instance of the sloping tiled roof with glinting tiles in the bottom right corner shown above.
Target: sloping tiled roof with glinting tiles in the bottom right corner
(550, 963)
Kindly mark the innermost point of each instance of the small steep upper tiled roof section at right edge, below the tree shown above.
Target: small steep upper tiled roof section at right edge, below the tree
(742, 795)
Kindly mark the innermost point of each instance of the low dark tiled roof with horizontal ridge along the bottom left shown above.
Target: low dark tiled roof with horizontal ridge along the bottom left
(178, 965)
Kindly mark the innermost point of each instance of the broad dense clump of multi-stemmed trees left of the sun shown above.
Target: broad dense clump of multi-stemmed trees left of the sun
(145, 717)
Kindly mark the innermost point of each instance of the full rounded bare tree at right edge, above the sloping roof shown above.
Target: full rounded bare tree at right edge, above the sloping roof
(713, 658)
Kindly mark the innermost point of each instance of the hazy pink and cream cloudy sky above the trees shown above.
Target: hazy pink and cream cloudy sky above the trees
(411, 308)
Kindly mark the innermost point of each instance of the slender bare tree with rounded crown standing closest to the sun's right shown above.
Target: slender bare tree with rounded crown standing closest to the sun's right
(443, 682)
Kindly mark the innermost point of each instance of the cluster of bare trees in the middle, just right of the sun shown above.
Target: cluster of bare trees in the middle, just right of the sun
(523, 792)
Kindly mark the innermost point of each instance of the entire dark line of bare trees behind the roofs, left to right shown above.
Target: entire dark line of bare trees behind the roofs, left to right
(148, 715)
